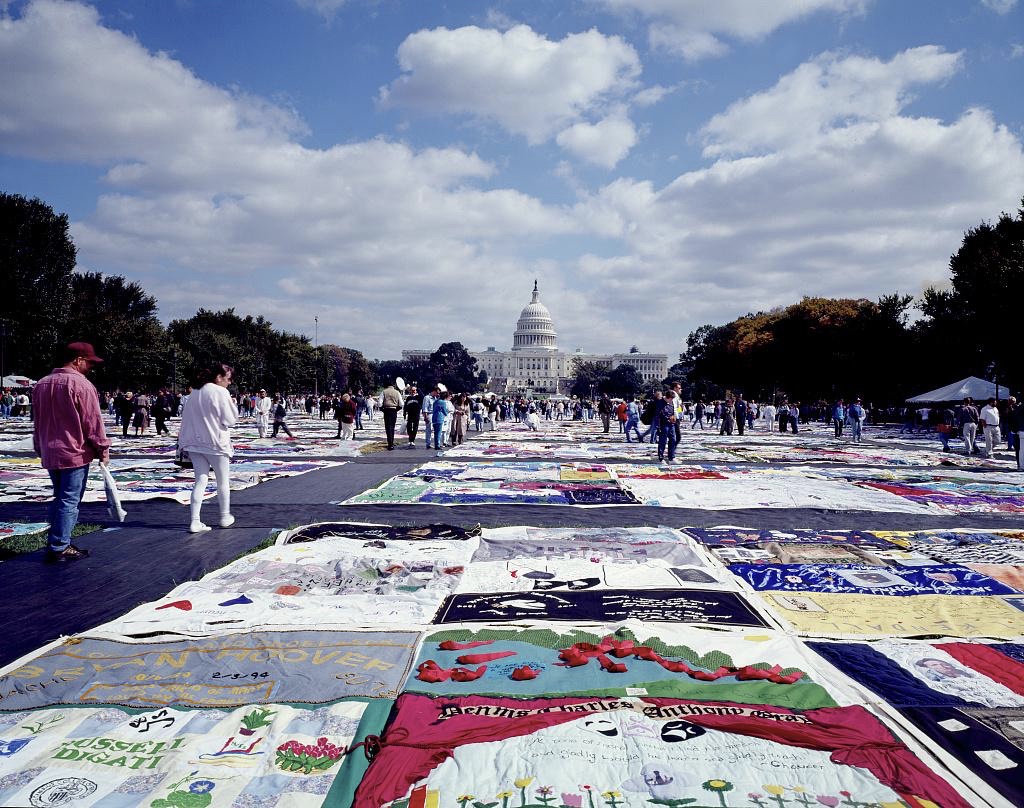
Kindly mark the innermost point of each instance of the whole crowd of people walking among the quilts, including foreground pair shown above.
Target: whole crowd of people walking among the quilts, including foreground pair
(69, 432)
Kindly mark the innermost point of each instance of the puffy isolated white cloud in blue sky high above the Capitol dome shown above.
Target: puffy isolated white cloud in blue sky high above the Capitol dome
(527, 83)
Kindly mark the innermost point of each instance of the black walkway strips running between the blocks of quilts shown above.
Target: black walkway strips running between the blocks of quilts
(151, 554)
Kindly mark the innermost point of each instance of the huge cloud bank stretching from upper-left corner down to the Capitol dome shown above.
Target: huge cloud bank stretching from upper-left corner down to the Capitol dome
(212, 202)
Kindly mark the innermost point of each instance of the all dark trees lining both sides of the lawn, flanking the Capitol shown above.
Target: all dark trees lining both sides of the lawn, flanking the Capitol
(883, 351)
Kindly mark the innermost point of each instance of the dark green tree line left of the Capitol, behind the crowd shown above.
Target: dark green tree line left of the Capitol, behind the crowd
(47, 304)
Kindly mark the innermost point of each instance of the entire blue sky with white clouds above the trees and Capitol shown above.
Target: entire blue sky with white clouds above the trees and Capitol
(405, 169)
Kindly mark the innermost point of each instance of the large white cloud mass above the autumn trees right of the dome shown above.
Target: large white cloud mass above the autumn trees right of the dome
(859, 201)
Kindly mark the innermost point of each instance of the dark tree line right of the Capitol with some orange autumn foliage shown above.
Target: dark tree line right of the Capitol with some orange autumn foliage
(884, 351)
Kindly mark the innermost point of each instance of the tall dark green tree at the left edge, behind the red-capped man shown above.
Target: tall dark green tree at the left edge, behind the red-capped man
(37, 259)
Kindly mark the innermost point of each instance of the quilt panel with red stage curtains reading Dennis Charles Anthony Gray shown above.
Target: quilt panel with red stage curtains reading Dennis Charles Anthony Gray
(629, 751)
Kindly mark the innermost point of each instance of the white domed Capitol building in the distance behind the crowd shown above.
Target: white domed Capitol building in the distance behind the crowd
(537, 366)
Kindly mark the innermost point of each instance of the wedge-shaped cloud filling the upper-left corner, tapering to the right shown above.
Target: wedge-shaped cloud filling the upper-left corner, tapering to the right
(152, 105)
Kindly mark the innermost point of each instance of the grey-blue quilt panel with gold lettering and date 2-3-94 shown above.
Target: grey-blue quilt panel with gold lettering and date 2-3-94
(230, 670)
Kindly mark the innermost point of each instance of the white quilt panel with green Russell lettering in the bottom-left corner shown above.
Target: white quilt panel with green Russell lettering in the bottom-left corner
(168, 758)
